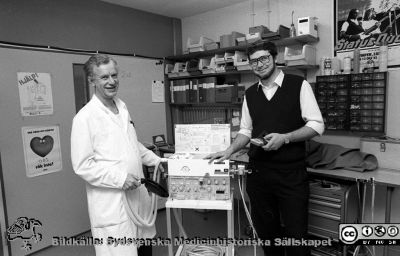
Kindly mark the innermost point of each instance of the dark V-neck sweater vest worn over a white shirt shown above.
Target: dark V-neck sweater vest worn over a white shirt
(281, 114)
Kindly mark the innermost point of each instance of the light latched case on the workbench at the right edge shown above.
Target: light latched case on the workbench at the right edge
(387, 151)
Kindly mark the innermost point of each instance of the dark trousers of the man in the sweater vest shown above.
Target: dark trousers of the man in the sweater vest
(279, 208)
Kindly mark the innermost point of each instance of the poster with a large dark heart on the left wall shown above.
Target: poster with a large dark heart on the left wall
(42, 150)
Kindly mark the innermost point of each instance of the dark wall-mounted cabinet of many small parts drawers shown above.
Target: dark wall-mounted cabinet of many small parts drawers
(353, 102)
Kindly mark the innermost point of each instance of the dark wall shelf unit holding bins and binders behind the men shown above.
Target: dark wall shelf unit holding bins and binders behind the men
(180, 113)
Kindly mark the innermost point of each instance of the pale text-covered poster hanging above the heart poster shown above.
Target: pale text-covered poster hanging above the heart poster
(35, 93)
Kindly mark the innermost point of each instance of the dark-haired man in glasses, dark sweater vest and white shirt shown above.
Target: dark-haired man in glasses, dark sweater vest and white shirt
(281, 110)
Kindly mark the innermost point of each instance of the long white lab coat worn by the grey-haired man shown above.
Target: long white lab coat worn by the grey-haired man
(103, 152)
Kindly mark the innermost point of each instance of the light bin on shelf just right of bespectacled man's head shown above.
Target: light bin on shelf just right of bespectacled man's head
(300, 56)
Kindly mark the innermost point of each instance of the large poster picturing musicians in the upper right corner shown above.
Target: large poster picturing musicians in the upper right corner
(367, 25)
